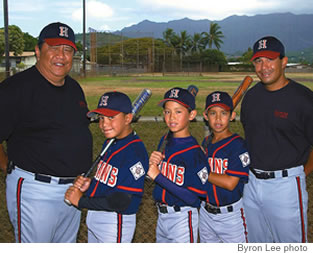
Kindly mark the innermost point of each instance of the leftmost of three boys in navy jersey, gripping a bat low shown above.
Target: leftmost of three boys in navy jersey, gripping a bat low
(113, 196)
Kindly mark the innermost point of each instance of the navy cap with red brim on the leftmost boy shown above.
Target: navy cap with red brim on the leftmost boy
(111, 104)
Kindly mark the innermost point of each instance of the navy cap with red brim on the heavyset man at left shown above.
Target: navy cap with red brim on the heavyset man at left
(56, 34)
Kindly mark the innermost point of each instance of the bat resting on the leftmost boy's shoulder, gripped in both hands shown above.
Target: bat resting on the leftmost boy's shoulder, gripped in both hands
(137, 105)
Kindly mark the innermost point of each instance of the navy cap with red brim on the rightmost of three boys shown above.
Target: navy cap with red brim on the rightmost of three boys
(219, 98)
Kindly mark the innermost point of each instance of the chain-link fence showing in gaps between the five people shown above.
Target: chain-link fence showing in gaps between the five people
(147, 214)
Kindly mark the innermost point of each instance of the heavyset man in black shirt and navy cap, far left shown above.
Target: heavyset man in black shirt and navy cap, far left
(43, 121)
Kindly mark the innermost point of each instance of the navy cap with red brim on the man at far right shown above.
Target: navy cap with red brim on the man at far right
(269, 47)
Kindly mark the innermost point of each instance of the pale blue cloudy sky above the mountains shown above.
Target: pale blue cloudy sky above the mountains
(113, 15)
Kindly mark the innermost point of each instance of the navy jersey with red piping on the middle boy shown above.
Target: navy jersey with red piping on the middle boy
(185, 166)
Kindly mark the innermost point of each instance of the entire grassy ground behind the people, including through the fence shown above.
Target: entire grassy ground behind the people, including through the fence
(150, 132)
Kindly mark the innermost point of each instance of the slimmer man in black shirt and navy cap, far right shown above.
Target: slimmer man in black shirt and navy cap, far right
(277, 116)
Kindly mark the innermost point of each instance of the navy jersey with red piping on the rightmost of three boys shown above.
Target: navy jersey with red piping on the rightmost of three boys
(228, 156)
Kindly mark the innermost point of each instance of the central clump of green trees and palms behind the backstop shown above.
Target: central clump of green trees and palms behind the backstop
(174, 49)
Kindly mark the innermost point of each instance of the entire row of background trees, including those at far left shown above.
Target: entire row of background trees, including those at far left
(174, 49)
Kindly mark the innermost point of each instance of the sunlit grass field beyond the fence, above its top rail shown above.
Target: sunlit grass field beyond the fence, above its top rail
(132, 85)
